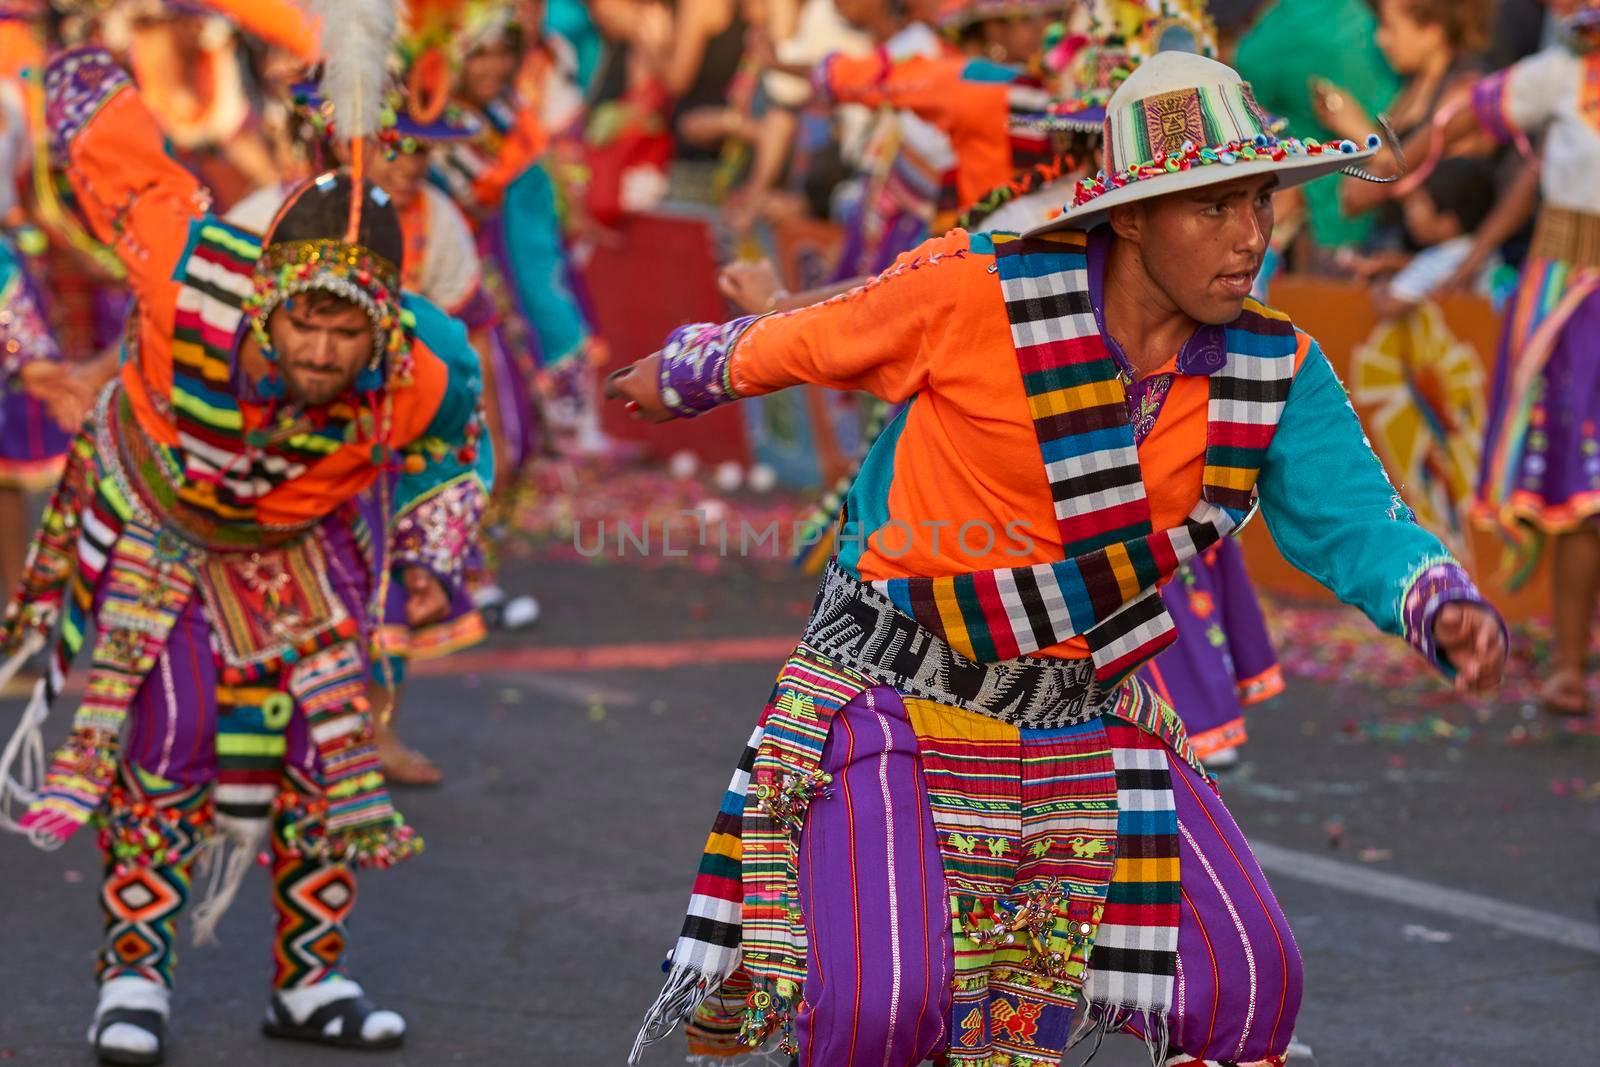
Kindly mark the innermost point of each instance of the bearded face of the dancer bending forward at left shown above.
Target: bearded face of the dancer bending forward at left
(322, 345)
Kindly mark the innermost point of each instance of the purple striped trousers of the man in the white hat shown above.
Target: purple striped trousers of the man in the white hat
(873, 890)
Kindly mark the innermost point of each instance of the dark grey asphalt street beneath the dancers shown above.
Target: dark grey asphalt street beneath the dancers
(1444, 895)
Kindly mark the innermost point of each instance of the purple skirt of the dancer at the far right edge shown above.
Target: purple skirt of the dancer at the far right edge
(1559, 463)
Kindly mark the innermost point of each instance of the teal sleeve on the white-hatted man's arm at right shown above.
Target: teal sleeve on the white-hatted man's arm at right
(1332, 508)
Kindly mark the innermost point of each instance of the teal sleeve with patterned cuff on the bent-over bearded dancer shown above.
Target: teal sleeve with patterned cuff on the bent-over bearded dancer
(447, 473)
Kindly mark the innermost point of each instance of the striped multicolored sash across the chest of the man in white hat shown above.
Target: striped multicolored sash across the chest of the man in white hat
(1106, 586)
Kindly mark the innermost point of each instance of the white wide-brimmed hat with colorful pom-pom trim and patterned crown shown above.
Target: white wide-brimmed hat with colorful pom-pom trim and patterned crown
(1182, 122)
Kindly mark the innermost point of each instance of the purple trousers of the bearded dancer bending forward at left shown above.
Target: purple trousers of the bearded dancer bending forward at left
(172, 724)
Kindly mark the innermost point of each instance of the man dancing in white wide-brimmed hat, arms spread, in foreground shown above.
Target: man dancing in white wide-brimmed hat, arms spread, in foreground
(962, 820)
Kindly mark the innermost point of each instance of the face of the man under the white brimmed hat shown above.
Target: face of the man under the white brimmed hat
(1204, 247)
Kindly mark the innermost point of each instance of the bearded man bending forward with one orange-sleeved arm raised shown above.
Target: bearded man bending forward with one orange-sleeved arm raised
(207, 526)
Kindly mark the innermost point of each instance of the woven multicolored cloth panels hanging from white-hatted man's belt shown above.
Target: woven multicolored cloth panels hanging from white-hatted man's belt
(1030, 850)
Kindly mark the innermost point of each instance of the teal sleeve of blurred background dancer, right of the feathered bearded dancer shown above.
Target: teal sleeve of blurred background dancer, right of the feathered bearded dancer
(534, 244)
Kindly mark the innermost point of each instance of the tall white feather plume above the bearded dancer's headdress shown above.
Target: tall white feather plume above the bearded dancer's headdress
(358, 39)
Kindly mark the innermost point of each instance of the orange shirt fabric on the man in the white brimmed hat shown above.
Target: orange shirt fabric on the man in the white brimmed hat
(935, 327)
